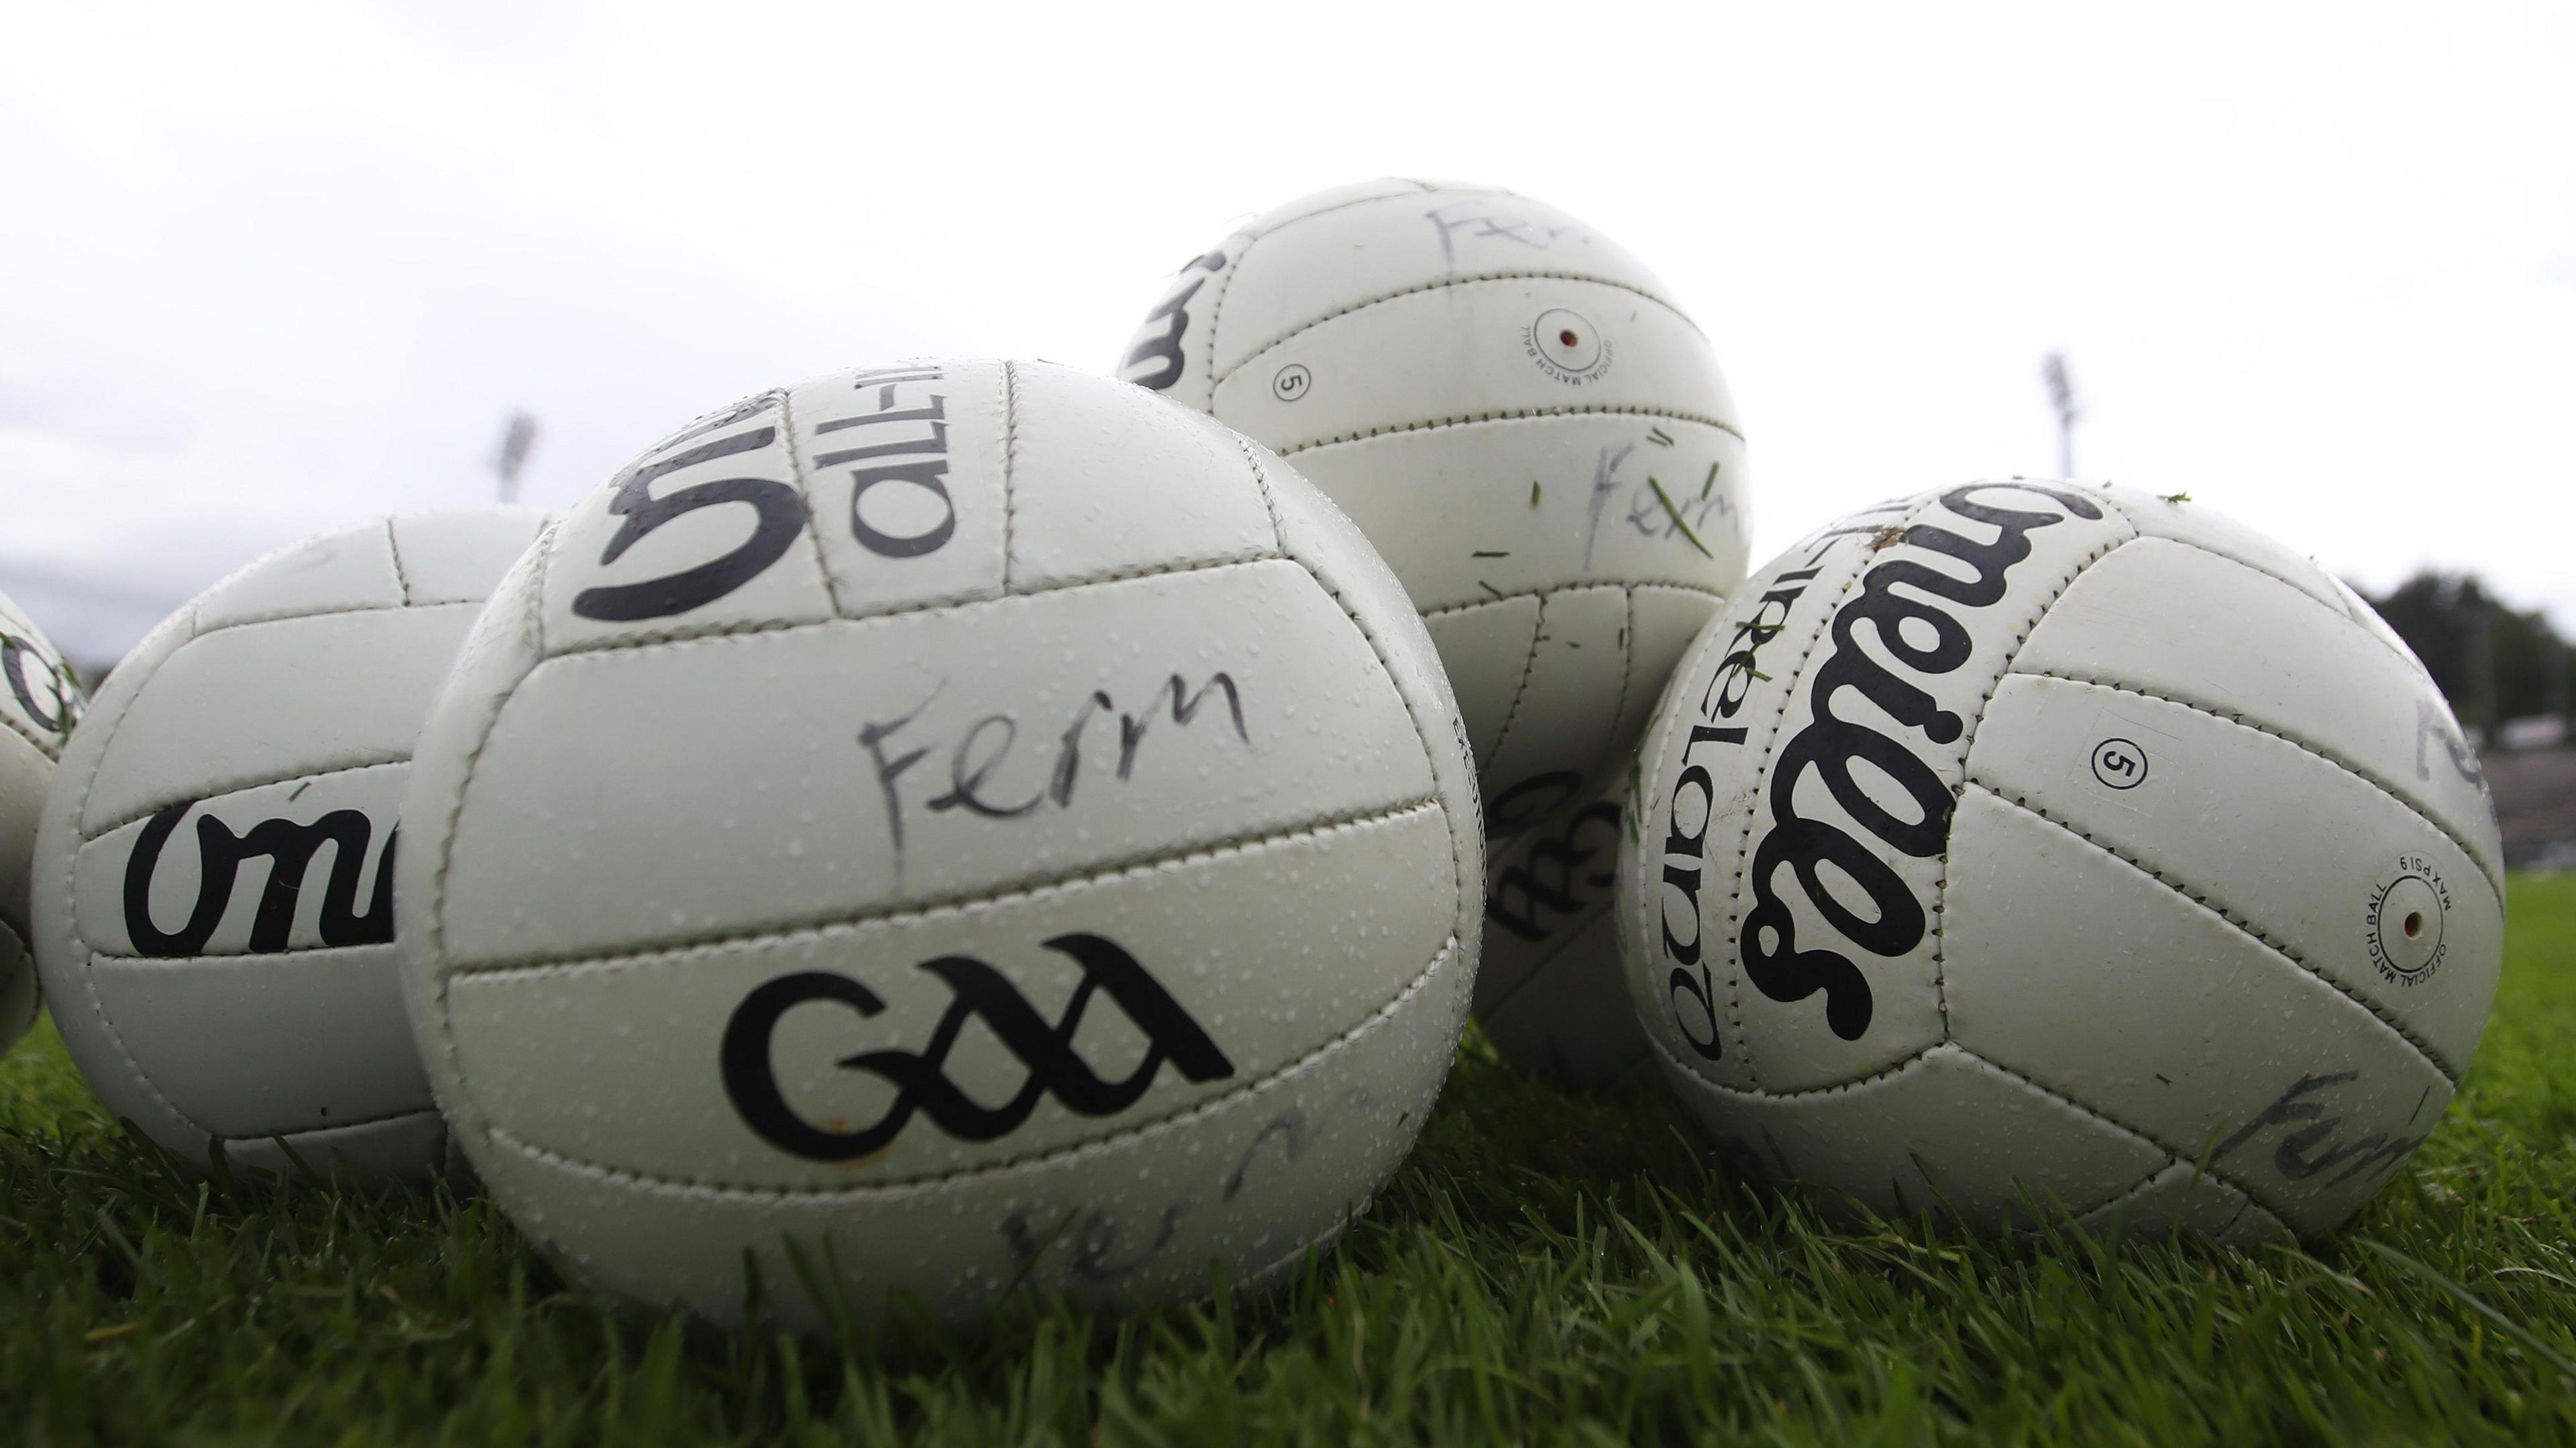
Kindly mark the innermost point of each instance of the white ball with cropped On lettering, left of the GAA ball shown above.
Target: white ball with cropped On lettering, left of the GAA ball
(215, 913)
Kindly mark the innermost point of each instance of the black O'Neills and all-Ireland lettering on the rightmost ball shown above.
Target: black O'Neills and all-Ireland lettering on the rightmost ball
(1830, 746)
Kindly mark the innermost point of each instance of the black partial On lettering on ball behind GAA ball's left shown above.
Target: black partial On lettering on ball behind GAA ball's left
(290, 852)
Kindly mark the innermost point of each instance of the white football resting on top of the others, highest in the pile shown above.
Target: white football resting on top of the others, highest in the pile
(1519, 416)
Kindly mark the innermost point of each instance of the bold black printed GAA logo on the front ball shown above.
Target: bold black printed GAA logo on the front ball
(921, 1083)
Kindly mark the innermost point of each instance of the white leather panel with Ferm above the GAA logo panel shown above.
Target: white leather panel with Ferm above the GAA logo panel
(918, 756)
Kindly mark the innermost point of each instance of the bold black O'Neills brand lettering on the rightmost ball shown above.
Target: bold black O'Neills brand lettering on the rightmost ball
(1830, 746)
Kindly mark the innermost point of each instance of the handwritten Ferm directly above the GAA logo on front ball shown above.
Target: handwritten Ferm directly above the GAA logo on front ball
(990, 741)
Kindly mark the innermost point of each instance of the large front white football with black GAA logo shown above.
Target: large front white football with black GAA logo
(931, 831)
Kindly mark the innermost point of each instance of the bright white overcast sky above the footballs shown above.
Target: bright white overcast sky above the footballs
(269, 269)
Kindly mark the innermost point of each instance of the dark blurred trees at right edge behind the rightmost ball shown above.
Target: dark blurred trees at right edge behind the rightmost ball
(2492, 661)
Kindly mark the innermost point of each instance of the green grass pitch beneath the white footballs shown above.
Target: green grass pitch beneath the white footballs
(1544, 1269)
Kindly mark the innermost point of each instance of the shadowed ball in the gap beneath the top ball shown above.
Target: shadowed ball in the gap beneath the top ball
(1549, 991)
